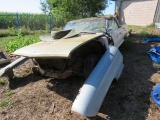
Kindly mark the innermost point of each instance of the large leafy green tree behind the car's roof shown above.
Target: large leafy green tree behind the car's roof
(74, 9)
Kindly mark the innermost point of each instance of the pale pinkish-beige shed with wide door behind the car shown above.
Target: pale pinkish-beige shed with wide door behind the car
(139, 12)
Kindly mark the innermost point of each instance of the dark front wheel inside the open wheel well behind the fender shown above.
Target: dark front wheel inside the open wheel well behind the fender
(90, 62)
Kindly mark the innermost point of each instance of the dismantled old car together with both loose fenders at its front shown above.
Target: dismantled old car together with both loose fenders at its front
(86, 47)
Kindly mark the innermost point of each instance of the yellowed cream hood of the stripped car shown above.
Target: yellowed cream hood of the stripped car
(54, 49)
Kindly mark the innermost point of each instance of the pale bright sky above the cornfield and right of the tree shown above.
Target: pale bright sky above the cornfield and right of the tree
(33, 6)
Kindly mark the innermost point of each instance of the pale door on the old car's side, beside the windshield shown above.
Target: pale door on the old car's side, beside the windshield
(116, 32)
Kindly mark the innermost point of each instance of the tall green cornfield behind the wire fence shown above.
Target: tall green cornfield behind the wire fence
(28, 21)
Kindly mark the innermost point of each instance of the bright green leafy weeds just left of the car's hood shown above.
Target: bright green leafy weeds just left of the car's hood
(20, 41)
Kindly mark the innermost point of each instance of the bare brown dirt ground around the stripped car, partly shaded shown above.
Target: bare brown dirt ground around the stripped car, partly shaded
(39, 98)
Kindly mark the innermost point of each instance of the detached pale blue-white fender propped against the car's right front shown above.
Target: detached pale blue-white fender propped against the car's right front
(92, 93)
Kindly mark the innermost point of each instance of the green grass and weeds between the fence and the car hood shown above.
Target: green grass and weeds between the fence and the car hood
(11, 43)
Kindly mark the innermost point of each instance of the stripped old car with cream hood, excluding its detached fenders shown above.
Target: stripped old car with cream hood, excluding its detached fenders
(76, 49)
